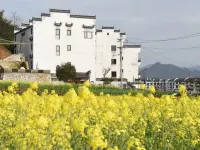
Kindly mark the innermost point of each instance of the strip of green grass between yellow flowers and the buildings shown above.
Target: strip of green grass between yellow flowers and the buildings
(61, 89)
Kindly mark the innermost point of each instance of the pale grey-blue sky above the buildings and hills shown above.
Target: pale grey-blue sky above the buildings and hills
(140, 19)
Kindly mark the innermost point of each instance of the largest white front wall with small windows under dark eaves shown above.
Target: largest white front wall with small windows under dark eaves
(82, 50)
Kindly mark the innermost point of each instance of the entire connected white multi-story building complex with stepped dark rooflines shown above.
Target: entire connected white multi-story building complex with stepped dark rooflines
(60, 37)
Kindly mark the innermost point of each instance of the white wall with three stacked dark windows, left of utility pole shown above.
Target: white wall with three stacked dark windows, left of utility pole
(104, 40)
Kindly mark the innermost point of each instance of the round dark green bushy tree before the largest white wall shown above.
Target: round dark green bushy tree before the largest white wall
(65, 72)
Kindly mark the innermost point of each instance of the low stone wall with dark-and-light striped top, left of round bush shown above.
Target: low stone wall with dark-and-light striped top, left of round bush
(25, 75)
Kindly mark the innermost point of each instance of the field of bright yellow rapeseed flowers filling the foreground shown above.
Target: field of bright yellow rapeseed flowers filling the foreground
(85, 121)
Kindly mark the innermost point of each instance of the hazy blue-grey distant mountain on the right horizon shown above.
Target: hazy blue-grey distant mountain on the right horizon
(168, 71)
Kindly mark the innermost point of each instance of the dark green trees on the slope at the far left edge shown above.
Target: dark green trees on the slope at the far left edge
(6, 31)
